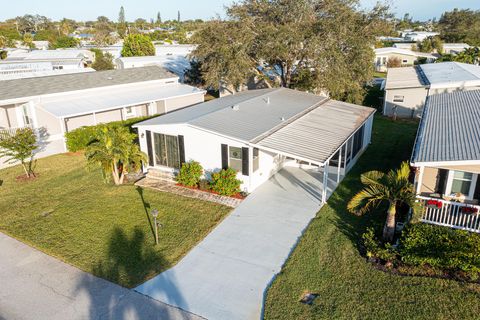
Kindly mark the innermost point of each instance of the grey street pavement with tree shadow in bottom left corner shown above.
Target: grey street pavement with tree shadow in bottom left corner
(34, 285)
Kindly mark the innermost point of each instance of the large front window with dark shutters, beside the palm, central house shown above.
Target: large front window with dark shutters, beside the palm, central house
(166, 150)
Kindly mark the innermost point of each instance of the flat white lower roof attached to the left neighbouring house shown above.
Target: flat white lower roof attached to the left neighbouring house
(113, 98)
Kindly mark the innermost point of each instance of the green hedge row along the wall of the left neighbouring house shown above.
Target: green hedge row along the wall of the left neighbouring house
(80, 138)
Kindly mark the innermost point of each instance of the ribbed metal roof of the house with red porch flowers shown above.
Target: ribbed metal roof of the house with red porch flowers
(450, 128)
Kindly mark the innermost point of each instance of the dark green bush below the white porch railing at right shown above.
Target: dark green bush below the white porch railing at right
(423, 244)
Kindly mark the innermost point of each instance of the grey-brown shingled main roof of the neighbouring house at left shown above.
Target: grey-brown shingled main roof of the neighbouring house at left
(20, 88)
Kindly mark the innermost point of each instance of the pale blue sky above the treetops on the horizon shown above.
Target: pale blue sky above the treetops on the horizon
(192, 9)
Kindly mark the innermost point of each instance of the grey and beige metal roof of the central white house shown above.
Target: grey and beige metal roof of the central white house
(288, 121)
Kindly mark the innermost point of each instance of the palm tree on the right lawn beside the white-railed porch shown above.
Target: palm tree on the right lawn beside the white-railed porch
(393, 187)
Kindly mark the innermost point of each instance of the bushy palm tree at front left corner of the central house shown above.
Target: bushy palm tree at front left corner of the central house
(115, 152)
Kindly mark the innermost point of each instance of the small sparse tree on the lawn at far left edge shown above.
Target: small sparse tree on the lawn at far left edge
(19, 147)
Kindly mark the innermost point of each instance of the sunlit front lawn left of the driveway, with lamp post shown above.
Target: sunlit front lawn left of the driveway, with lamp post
(71, 214)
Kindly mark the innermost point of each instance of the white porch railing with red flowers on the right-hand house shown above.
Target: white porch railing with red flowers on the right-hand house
(451, 214)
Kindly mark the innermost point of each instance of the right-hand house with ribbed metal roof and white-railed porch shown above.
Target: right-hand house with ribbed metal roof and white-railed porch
(446, 158)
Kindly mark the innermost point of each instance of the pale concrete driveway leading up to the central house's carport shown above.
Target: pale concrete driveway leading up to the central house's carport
(225, 276)
